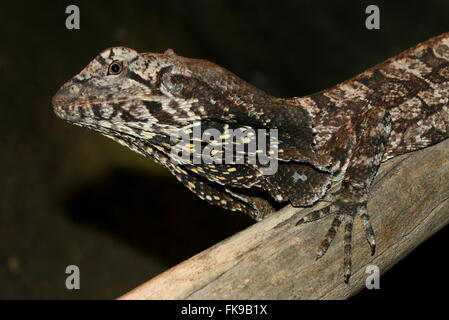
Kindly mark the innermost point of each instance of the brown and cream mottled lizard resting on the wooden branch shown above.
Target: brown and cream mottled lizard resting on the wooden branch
(341, 134)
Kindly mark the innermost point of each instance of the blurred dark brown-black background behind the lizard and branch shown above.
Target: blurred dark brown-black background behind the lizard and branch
(70, 196)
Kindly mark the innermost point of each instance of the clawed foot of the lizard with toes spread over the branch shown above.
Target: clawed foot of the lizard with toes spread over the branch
(345, 209)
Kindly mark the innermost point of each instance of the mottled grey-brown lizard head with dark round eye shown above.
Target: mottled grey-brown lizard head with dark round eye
(134, 93)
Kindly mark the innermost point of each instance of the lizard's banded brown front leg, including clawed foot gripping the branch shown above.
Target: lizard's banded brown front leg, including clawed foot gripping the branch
(370, 135)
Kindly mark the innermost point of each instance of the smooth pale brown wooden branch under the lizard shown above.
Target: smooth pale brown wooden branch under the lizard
(273, 259)
